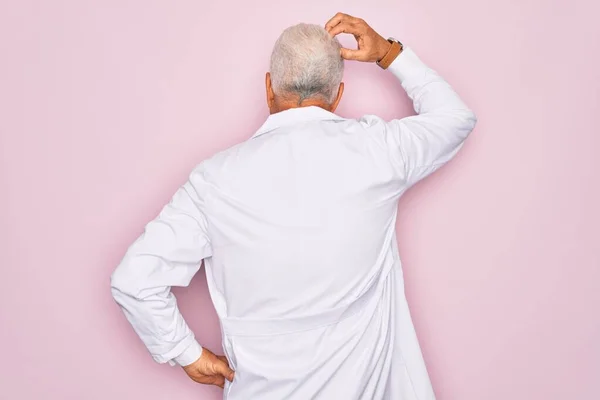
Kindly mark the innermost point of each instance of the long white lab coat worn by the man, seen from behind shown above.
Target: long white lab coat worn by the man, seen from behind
(296, 229)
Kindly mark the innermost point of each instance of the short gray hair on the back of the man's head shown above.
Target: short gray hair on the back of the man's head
(306, 63)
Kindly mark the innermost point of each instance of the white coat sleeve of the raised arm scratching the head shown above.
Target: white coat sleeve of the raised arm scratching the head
(420, 144)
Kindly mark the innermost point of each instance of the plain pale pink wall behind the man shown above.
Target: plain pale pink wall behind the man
(106, 106)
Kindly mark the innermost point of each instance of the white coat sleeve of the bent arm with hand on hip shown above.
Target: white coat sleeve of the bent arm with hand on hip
(168, 253)
